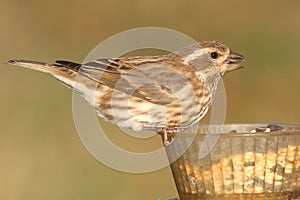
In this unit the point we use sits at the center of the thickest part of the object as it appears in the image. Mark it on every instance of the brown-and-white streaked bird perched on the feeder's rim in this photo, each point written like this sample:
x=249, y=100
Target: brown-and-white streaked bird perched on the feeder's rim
x=164, y=93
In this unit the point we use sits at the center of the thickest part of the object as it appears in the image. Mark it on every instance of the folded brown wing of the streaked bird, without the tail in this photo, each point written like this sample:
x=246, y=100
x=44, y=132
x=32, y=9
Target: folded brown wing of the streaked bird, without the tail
x=148, y=78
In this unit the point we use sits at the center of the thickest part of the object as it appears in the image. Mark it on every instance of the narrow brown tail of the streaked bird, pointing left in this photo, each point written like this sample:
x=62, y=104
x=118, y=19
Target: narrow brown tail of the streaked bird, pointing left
x=64, y=71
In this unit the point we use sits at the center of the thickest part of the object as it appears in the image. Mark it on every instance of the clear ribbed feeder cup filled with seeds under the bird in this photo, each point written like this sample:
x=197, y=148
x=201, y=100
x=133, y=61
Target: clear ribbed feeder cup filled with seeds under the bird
x=238, y=161
